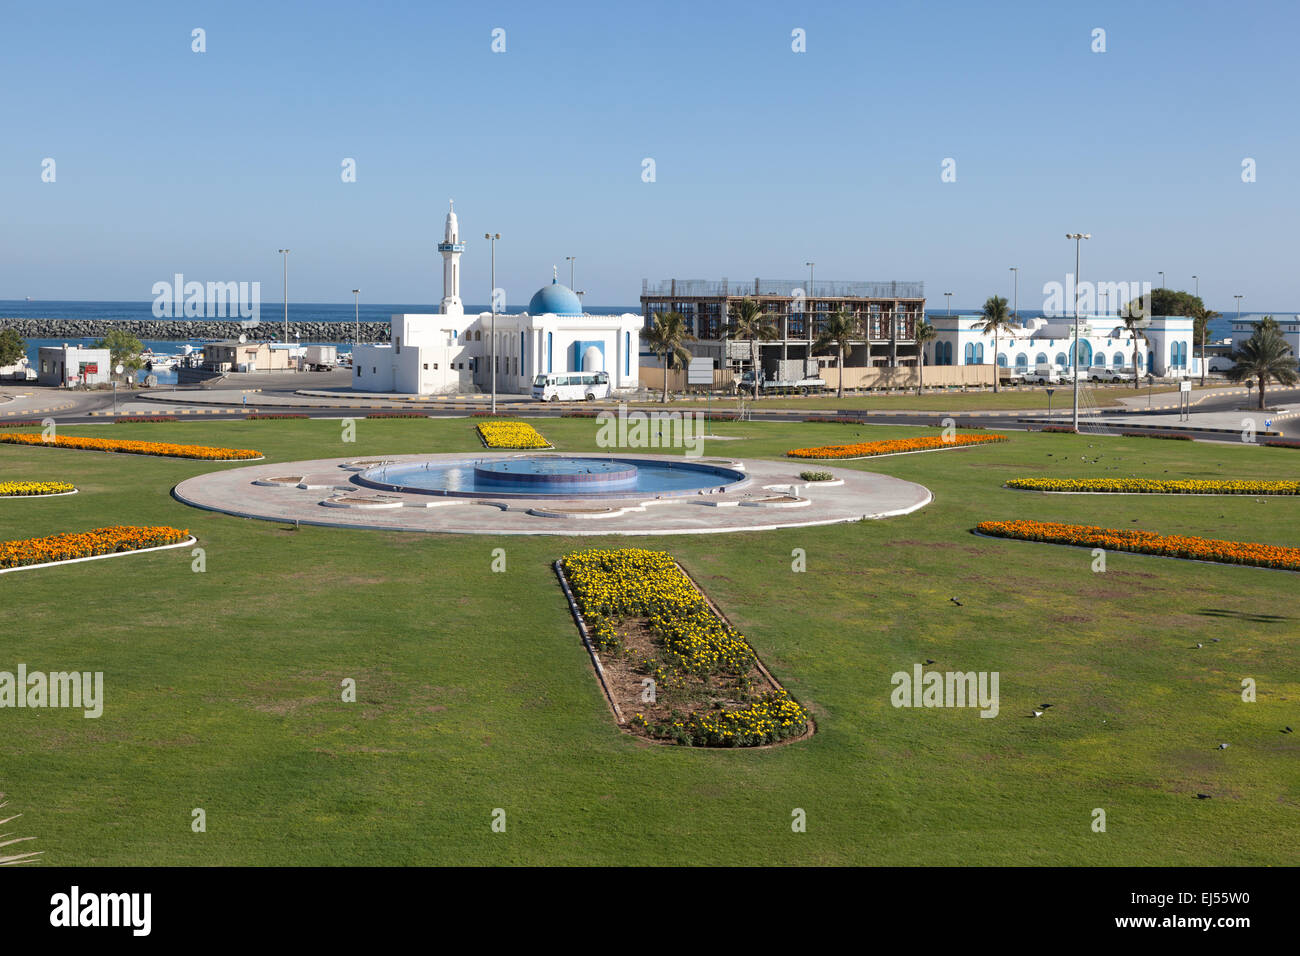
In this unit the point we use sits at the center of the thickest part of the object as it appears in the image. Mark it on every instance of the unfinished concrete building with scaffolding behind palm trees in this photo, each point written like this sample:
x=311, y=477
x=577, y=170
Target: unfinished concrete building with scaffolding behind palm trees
x=889, y=314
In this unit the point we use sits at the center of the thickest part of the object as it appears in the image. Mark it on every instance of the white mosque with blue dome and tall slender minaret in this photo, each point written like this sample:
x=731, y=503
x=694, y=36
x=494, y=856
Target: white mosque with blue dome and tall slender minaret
x=449, y=352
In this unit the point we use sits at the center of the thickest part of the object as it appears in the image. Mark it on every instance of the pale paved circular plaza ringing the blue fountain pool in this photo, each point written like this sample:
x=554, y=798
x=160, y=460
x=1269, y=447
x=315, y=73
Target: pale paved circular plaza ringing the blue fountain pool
x=331, y=492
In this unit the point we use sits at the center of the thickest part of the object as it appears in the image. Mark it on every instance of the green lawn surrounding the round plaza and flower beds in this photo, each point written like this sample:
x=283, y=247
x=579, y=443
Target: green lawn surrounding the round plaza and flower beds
x=474, y=690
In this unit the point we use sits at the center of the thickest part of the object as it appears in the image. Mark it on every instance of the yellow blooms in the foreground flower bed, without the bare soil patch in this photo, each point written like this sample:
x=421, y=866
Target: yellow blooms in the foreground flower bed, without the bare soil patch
x=613, y=587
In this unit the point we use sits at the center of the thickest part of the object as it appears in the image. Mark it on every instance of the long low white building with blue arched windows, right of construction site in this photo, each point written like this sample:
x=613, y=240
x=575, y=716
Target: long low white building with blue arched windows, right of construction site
x=1164, y=345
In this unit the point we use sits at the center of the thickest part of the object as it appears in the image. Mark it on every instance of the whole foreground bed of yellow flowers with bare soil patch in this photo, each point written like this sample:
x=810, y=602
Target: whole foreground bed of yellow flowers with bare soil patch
x=651, y=618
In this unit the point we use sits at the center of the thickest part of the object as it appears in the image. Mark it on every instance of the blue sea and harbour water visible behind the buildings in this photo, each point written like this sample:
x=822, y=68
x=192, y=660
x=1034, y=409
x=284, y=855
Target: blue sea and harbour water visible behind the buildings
x=341, y=313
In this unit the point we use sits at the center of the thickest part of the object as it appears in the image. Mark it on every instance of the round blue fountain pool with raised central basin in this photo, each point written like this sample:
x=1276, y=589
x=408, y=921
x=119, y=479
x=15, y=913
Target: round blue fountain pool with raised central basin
x=553, y=477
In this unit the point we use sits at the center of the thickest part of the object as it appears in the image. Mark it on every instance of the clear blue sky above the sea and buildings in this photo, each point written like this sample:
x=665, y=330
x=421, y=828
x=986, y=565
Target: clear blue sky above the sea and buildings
x=207, y=163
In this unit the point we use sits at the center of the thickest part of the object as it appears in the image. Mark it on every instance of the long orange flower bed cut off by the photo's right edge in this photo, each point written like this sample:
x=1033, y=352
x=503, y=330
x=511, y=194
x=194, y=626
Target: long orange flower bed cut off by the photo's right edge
x=1149, y=543
